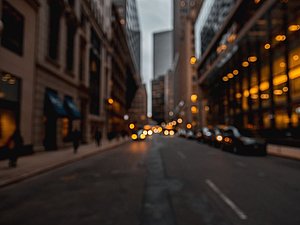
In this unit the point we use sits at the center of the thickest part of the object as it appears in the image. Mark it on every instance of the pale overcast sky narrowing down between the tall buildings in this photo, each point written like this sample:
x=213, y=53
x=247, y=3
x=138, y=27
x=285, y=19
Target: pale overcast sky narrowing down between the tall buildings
x=154, y=15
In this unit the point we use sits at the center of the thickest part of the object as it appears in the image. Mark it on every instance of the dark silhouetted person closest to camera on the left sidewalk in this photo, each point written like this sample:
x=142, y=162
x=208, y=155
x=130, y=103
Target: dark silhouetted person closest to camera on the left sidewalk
x=15, y=145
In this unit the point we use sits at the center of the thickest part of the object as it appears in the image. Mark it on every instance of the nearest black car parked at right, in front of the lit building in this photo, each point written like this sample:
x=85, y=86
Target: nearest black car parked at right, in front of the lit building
x=242, y=141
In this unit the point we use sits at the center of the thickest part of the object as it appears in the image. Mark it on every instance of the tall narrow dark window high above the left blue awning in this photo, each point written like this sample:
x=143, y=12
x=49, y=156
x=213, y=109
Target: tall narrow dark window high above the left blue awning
x=54, y=27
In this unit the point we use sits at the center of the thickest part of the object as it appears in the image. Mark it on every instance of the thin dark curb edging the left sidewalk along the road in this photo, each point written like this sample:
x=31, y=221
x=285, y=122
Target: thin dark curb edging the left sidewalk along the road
x=58, y=165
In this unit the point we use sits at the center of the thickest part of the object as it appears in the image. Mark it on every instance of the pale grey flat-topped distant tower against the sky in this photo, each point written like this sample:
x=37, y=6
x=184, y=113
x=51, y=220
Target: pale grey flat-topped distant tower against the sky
x=162, y=53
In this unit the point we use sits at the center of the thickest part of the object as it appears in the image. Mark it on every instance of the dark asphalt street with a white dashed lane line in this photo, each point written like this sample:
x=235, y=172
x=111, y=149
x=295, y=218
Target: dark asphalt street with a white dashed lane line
x=161, y=181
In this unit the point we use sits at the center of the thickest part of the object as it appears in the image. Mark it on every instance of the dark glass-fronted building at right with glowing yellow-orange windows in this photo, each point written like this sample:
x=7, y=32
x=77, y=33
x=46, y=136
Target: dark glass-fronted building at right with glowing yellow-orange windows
x=249, y=73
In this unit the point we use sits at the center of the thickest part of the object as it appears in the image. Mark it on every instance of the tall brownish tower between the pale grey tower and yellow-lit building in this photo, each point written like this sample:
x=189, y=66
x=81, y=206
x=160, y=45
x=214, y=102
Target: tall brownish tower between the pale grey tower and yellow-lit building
x=185, y=14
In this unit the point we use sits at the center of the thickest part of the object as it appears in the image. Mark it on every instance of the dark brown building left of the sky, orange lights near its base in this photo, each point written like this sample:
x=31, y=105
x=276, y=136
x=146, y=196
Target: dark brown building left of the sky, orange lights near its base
x=123, y=82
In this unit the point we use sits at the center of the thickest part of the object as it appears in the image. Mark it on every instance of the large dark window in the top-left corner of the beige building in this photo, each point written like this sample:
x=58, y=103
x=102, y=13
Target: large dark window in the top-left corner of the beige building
x=13, y=32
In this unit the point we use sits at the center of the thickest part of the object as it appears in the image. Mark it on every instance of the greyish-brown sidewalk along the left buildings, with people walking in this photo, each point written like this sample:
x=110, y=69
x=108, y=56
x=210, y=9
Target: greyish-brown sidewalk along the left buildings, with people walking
x=29, y=166
